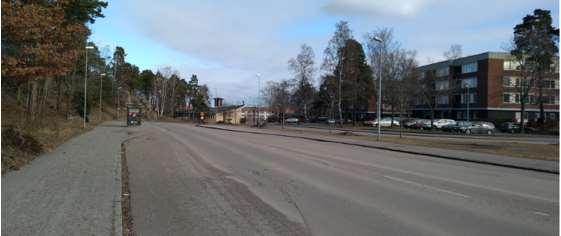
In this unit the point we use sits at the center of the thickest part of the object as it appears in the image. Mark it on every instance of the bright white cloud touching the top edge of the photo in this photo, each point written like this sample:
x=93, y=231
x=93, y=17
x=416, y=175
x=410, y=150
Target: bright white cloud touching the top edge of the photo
x=377, y=7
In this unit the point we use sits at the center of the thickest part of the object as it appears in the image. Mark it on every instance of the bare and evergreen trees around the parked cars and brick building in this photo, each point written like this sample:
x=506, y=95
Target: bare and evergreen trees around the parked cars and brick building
x=348, y=78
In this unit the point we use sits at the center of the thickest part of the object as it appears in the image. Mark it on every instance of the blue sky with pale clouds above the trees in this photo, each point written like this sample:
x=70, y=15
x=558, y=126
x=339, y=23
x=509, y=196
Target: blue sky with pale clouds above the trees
x=232, y=45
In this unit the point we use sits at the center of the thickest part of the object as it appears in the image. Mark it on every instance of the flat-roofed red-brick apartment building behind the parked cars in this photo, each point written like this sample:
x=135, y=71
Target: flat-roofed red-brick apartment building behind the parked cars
x=484, y=87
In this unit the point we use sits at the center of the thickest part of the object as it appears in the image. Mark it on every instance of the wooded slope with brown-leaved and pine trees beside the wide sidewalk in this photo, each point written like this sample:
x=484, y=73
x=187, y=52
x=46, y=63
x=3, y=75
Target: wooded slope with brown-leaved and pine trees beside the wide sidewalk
x=44, y=49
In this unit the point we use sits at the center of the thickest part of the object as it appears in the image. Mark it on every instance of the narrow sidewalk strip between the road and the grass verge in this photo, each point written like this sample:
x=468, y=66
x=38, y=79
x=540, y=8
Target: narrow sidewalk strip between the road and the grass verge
x=506, y=161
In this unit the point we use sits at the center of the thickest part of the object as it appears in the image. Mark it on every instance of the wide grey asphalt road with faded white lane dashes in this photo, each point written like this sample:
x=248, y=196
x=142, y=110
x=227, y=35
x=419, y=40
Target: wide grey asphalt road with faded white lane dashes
x=188, y=180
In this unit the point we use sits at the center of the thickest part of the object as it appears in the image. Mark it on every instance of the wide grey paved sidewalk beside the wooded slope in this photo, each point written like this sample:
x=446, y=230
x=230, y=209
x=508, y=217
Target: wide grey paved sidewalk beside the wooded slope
x=74, y=190
